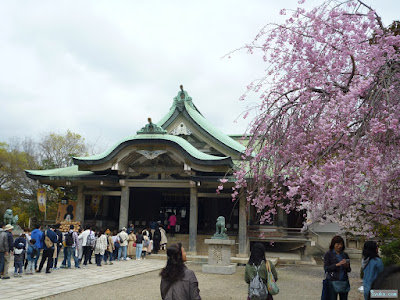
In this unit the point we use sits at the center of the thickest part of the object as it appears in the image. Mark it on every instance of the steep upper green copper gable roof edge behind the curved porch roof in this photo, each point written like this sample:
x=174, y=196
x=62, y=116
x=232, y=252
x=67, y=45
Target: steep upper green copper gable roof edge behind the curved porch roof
x=183, y=100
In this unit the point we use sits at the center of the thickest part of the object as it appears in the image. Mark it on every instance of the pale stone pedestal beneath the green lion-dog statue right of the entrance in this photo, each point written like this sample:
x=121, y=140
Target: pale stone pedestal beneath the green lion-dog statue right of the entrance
x=219, y=257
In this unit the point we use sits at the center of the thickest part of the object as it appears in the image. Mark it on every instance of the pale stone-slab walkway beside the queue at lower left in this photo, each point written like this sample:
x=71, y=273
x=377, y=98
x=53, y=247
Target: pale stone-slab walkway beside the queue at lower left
x=64, y=280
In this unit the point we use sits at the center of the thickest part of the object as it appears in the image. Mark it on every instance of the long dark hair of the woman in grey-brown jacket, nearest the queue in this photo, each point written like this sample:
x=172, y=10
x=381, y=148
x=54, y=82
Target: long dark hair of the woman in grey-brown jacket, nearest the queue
x=175, y=268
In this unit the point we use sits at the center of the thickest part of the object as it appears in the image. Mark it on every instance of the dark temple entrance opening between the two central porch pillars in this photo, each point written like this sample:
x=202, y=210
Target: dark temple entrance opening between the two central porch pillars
x=157, y=204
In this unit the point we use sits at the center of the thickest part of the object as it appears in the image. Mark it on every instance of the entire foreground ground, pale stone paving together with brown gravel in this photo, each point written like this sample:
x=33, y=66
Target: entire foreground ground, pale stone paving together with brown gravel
x=140, y=280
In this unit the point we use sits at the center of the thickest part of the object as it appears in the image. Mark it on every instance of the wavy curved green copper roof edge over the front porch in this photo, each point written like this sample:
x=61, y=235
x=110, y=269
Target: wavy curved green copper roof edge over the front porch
x=154, y=138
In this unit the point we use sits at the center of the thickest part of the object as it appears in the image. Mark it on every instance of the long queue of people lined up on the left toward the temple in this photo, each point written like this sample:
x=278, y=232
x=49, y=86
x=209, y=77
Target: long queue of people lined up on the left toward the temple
x=31, y=250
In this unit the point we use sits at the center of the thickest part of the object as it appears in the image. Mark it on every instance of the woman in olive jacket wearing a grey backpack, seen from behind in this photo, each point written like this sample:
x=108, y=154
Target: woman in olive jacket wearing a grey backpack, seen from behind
x=257, y=265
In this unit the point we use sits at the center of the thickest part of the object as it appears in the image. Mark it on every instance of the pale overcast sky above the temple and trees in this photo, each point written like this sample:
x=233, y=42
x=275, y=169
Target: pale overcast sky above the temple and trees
x=100, y=68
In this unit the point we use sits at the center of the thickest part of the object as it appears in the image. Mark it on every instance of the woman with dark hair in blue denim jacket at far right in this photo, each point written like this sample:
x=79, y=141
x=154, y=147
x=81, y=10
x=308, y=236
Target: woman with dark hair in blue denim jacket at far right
x=372, y=266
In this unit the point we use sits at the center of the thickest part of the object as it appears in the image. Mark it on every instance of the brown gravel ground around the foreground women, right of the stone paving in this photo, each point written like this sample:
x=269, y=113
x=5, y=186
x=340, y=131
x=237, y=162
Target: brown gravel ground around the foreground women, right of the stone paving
x=295, y=282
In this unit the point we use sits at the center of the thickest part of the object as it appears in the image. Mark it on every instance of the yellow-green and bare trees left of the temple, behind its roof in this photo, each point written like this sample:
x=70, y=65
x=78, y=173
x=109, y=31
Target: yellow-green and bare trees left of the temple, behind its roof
x=19, y=192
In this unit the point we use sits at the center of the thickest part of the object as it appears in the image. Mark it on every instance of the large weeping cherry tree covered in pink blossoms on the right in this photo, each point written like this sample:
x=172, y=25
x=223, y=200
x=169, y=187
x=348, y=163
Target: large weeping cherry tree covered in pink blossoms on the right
x=327, y=135
